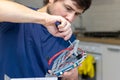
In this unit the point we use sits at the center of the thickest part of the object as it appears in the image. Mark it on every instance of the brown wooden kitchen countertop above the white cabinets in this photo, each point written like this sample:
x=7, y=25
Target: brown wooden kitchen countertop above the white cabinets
x=100, y=40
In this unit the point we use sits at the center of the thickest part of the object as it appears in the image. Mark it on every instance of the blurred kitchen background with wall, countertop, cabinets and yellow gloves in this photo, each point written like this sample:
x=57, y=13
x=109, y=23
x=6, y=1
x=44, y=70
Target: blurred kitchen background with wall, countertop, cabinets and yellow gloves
x=98, y=30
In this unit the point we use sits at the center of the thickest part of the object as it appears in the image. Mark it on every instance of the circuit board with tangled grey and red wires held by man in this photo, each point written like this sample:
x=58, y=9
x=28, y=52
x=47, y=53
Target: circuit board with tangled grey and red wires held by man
x=69, y=58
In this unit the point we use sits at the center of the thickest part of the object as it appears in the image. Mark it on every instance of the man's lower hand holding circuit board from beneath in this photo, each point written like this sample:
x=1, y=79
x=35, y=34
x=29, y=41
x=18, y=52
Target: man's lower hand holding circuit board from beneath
x=71, y=75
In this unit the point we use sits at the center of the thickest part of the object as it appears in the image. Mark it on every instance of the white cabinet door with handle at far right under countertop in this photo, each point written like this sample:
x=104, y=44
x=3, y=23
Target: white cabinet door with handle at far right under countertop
x=111, y=64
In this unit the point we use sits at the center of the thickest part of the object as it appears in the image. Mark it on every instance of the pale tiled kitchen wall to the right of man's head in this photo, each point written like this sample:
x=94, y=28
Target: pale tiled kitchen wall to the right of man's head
x=104, y=15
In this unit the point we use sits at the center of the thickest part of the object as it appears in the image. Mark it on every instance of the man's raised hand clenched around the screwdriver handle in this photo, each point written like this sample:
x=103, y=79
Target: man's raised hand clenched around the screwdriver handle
x=63, y=30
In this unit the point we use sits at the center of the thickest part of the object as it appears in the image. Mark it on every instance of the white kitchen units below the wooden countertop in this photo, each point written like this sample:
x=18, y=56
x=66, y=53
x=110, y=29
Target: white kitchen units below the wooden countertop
x=108, y=65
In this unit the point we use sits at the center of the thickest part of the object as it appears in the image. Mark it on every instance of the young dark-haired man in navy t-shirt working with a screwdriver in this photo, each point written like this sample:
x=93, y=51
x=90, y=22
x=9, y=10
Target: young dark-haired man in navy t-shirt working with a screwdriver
x=29, y=37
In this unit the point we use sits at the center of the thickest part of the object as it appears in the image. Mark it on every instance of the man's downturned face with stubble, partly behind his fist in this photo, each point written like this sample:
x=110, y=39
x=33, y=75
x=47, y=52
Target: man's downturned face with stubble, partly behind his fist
x=64, y=8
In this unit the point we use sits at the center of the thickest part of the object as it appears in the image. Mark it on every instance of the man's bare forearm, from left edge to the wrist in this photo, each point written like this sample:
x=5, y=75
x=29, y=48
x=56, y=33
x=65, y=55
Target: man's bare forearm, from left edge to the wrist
x=14, y=12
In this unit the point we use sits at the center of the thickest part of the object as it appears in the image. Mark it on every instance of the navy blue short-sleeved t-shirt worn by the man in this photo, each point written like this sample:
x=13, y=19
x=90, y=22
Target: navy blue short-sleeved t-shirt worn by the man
x=25, y=49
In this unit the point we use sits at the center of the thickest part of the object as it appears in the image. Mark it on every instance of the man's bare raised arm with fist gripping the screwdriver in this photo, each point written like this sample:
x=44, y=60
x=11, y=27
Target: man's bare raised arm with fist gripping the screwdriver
x=14, y=12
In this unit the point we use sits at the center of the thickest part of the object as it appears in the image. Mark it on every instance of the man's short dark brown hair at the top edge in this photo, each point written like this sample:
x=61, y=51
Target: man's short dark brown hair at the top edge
x=83, y=4
